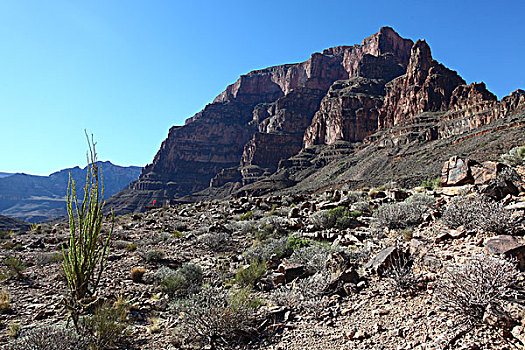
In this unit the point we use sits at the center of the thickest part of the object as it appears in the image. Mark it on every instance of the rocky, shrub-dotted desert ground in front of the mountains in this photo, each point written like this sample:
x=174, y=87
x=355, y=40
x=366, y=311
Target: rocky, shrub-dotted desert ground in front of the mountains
x=380, y=268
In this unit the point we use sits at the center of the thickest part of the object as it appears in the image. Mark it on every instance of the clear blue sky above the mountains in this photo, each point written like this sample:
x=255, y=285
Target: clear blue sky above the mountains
x=129, y=70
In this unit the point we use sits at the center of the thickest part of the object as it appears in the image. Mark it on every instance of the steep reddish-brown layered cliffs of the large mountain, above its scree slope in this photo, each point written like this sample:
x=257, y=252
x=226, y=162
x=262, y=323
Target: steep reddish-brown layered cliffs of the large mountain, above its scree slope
x=386, y=90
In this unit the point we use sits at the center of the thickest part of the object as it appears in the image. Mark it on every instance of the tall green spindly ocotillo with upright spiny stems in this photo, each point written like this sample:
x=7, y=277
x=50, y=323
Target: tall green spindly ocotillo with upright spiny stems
x=86, y=258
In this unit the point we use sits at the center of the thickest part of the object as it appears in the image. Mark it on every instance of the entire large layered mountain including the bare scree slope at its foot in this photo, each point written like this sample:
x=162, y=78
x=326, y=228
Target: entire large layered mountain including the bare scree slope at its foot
x=348, y=114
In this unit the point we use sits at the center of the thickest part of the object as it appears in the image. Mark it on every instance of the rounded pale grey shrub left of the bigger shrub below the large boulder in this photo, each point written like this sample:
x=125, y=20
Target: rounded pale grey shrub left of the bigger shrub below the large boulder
x=399, y=215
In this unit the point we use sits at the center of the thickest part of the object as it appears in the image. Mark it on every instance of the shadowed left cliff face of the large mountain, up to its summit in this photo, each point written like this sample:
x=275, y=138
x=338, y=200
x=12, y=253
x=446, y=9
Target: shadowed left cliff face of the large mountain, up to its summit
x=260, y=119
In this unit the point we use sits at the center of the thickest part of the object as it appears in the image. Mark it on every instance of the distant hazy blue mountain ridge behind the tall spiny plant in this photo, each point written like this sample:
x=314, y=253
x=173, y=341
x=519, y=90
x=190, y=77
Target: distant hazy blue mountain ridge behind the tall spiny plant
x=36, y=198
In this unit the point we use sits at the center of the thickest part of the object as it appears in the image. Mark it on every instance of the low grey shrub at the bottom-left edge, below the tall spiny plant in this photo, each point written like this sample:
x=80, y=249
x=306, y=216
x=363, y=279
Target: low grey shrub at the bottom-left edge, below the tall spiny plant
x=49, y=338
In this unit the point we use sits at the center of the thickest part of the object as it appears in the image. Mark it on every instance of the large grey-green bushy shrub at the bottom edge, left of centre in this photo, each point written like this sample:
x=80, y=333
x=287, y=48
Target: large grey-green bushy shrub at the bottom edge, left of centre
x=214, y=317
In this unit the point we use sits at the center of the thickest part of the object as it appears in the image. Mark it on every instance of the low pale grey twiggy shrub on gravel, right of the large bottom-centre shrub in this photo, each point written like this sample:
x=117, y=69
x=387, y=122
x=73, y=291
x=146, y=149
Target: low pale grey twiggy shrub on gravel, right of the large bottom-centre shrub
x=306, y=296
